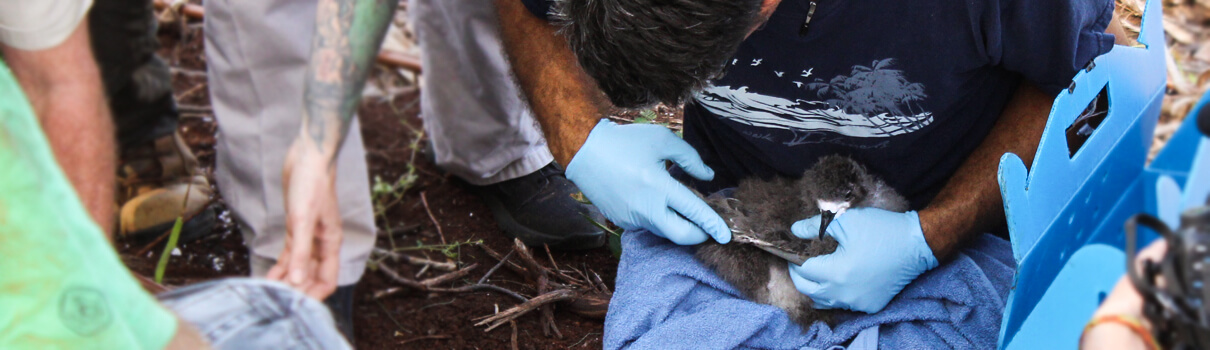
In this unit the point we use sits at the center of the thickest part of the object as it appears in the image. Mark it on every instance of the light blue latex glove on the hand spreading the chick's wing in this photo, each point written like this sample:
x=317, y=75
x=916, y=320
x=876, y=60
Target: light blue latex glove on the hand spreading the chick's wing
x=621, y=169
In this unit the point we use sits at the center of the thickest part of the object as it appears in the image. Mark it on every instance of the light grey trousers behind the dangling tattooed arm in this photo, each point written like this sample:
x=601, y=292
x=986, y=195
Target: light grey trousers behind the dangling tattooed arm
x=258, y=53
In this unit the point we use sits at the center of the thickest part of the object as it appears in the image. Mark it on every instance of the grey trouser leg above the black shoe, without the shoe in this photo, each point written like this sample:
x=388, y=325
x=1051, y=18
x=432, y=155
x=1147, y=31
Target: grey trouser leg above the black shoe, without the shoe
x=481, y=129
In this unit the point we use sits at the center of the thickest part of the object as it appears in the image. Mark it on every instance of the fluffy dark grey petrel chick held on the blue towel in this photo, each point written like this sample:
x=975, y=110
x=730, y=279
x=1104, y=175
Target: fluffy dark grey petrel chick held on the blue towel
x=765, y=211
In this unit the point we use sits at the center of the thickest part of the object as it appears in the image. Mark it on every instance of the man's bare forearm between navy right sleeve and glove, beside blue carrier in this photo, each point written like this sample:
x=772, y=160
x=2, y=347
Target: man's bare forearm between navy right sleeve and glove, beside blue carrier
x=971, y=203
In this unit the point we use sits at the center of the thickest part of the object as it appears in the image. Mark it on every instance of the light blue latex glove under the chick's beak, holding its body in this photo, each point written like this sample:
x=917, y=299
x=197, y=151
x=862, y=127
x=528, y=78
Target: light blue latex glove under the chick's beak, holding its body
x=880, y=253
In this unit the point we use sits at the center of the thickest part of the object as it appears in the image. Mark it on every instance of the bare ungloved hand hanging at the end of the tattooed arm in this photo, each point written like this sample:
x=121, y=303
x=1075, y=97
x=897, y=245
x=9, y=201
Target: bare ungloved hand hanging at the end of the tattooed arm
x=310, y=261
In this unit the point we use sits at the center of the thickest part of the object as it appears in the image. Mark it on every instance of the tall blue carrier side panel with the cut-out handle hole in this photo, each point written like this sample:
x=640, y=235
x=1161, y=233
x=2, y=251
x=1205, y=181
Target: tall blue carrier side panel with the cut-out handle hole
x=1059, y=205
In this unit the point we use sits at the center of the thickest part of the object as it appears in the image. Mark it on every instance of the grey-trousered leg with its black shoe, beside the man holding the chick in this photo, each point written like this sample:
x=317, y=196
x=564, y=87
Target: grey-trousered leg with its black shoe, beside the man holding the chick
x=483, y=133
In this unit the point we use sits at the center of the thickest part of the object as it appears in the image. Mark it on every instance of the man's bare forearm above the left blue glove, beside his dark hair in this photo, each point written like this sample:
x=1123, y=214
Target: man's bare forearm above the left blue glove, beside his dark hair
x=564, y=100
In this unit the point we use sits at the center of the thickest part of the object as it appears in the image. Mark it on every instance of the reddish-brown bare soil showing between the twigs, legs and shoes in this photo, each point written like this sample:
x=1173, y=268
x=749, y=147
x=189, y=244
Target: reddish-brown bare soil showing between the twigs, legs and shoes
x=406, y=320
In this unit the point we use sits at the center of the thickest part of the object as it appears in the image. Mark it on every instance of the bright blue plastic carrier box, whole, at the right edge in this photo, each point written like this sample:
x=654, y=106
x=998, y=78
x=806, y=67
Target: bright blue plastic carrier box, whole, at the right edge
x=1067, y=213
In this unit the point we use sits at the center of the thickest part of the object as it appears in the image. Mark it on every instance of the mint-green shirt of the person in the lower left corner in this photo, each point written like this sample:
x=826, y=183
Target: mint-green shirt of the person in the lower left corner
x=62, y=286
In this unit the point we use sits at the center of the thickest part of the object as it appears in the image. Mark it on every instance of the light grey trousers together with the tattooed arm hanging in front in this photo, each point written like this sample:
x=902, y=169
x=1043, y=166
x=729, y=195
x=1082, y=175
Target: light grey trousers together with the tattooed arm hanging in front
x=258, y=56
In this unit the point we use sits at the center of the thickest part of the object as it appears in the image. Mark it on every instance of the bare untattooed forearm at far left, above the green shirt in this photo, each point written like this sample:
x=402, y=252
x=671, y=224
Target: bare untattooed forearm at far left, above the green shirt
x=64, y=85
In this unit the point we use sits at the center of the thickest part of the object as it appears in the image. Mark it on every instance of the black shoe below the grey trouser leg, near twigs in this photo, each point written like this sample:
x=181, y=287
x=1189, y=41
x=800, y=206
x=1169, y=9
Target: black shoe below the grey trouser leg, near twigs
x=539, y=209
